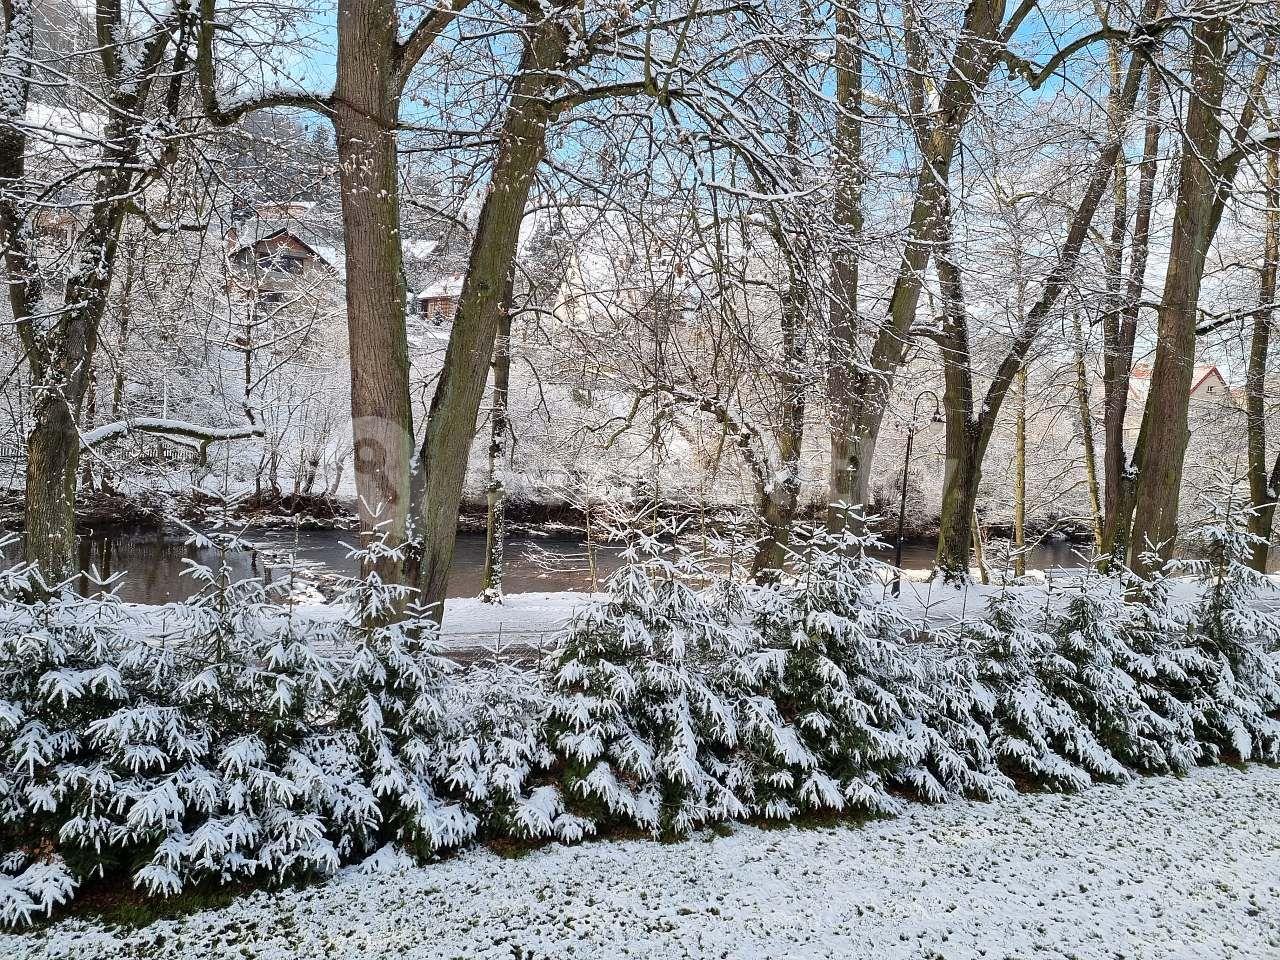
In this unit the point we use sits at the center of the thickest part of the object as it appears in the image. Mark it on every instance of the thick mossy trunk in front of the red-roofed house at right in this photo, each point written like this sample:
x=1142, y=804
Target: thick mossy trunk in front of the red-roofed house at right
x=1164, y=436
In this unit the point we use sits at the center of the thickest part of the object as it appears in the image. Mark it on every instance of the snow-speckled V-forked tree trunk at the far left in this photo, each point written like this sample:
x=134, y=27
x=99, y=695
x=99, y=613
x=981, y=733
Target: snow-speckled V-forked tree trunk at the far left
x=61, y=341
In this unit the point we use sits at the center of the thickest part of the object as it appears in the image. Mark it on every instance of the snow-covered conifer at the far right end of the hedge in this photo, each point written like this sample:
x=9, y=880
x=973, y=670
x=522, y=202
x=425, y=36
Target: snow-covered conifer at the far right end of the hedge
x=1235, y=693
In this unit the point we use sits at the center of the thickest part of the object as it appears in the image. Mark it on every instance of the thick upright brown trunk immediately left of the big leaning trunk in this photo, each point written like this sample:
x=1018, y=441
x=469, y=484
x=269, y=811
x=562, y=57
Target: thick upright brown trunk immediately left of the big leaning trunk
x=365, y=108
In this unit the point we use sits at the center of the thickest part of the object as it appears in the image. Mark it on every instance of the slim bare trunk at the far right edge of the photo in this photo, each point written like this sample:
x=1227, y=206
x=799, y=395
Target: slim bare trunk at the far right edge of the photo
x=1264, y=483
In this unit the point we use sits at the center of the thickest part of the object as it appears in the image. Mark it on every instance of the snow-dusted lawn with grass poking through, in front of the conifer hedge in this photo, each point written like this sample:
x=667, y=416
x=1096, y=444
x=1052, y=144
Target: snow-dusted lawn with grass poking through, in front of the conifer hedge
x=1160, y=868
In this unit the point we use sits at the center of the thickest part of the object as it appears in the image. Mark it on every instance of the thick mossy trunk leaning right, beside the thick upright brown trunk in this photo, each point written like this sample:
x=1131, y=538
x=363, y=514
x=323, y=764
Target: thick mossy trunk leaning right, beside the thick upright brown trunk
x=452, y=419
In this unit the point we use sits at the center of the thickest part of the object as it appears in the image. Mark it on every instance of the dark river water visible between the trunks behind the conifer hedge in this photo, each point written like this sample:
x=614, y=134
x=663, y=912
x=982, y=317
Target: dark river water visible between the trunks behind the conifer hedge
x=152, y=563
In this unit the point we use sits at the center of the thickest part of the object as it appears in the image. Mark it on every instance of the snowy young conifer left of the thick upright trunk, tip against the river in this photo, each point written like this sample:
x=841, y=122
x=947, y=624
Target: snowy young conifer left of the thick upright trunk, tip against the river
x=252, y=803
